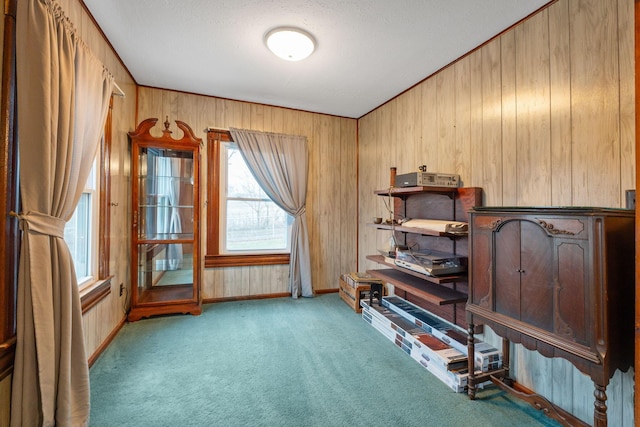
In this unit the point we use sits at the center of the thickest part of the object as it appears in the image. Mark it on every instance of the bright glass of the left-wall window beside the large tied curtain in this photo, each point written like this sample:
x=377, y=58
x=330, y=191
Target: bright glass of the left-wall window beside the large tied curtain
x=77, y=234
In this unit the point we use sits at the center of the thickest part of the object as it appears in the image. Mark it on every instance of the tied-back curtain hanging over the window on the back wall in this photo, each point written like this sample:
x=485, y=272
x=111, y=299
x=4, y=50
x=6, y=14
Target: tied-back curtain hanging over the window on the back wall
x=280, y=165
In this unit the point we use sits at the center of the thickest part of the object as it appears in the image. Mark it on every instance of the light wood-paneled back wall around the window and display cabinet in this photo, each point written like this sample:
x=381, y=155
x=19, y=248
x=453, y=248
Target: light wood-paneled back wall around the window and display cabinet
x=331, y=198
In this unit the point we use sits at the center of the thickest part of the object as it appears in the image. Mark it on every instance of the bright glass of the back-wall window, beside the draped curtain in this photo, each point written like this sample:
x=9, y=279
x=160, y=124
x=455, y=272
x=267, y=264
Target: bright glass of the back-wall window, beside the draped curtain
x=249, y=221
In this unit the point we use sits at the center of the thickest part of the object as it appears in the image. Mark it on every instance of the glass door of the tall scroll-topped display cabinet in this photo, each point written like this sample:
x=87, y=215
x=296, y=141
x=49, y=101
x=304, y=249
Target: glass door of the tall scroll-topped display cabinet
x=165, y=224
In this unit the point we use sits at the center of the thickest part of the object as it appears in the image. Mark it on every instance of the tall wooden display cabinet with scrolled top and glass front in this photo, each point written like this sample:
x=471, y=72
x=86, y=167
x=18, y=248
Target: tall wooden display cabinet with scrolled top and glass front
x=165, y=247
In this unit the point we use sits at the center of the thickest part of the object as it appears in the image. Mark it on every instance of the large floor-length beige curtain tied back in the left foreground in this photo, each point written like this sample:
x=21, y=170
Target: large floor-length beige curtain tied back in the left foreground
x=63, y=93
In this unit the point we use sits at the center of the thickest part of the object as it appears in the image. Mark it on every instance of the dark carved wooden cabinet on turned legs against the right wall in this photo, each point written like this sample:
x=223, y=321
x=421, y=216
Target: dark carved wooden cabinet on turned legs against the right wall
x=559, y=281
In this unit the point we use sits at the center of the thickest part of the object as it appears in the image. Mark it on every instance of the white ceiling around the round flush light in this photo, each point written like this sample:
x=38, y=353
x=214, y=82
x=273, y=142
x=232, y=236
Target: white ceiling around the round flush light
x=368, y=51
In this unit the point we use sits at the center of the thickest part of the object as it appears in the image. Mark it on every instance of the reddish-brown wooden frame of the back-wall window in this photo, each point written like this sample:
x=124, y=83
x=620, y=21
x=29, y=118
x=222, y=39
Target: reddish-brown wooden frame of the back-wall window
x=214, y=257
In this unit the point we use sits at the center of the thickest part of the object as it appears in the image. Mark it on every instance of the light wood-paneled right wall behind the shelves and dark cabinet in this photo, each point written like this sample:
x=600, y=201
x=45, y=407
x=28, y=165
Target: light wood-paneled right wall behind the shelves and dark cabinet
x=542, y=115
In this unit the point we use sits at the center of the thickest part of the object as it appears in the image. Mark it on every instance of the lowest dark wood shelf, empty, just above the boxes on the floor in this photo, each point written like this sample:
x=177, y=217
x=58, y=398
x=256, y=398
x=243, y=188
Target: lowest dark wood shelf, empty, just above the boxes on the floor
x=433, y=293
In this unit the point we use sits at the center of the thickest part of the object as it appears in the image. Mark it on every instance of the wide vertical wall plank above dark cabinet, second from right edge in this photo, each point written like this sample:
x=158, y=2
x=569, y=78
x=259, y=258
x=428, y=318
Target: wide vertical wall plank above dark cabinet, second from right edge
x=595, y=102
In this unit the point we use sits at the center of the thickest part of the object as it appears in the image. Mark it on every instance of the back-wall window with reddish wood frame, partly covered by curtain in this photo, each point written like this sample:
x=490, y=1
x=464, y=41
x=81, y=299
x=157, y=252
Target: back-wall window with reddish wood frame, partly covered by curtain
x=244, y=226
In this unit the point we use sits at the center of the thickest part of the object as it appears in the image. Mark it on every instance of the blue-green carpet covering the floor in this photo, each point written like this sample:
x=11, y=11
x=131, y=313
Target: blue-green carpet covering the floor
x=279, y=362
